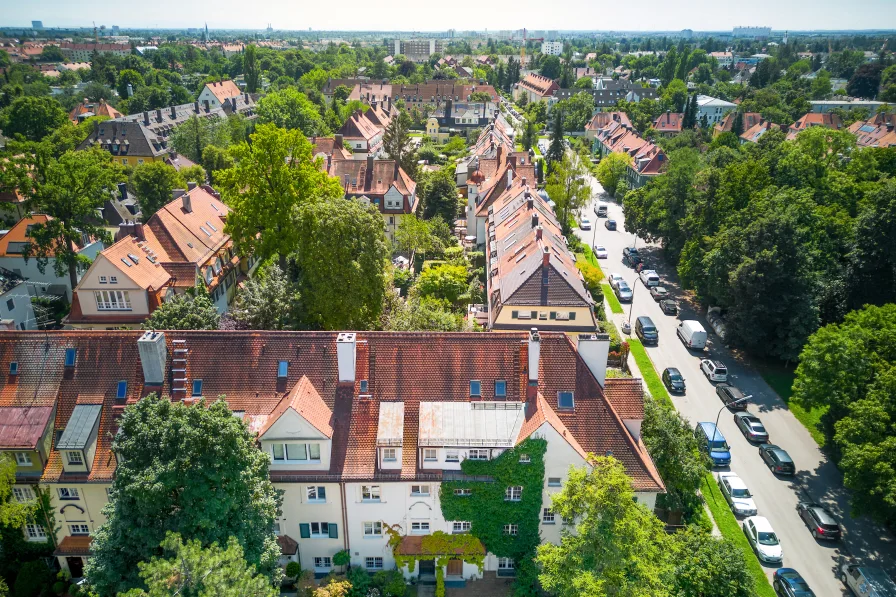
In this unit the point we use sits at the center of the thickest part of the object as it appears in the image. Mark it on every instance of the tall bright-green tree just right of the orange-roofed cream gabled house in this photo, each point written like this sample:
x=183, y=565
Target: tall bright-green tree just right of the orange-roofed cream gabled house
x=273, y=176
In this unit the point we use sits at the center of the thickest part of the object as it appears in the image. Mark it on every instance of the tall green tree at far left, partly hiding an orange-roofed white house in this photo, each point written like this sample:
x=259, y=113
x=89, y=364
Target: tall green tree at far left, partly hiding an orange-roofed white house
x=70, y=190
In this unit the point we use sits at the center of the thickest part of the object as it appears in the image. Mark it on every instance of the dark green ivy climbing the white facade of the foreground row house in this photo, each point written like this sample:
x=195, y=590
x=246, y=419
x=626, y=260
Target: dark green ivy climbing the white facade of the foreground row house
x=488, y=511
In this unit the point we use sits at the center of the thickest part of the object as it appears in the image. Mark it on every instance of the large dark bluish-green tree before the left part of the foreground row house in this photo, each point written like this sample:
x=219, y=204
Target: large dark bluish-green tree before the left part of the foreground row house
x=190, y=469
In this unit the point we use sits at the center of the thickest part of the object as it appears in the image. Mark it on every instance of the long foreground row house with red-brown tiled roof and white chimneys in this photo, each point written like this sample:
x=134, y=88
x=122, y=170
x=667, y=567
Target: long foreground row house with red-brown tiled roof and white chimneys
x=355, y=443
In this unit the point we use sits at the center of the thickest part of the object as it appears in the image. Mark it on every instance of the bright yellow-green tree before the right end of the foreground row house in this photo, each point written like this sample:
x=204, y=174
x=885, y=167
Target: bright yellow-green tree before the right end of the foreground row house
x=618, y=547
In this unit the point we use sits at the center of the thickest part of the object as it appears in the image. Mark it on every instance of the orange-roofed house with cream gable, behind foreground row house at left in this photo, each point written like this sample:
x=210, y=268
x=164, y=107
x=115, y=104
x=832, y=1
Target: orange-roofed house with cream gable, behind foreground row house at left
x=181, y=245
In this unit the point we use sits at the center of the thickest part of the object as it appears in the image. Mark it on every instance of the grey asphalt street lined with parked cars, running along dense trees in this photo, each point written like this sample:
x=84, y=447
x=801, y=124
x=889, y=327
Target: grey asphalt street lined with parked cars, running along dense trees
x=817, y=478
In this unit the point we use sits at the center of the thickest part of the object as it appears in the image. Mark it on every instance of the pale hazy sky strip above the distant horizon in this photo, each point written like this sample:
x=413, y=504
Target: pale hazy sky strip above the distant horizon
x=440, y=15
